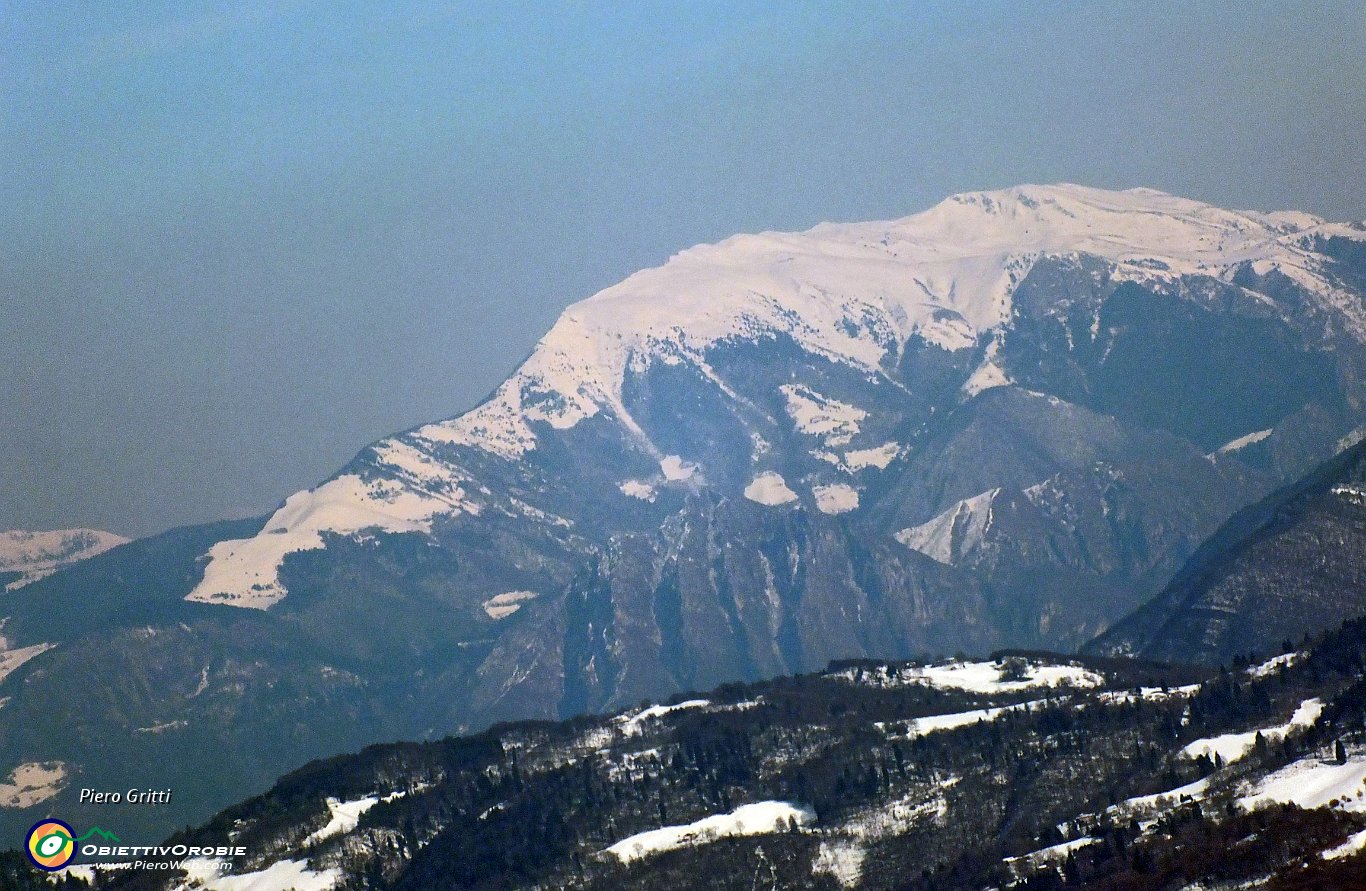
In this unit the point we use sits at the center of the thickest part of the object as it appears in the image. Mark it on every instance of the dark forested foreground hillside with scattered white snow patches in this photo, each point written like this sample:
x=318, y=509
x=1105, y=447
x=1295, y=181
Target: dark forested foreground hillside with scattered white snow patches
x=1028, y=771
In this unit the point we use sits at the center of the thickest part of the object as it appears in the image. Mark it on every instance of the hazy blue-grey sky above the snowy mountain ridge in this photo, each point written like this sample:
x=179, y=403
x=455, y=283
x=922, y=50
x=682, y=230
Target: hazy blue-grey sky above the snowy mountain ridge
x=240, y=241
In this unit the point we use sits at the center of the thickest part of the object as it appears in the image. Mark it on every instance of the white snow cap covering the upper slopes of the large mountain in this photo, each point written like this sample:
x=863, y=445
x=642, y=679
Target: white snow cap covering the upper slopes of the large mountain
x=859, y=297
